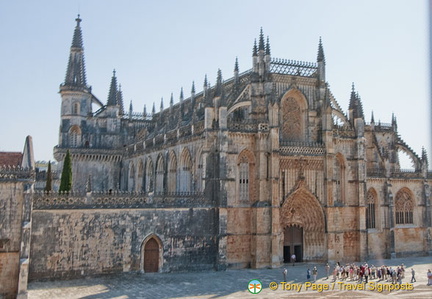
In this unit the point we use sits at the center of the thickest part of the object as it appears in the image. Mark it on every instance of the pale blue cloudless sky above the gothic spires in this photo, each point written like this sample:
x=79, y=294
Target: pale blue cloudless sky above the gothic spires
x=157, y=47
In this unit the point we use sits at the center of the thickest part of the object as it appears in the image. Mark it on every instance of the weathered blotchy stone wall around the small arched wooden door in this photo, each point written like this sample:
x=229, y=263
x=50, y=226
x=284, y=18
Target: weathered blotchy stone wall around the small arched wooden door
x=76, y=242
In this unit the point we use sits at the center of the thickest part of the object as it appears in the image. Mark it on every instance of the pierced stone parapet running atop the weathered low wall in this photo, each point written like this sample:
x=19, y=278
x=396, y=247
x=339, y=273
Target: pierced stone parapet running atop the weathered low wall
x=118, y=200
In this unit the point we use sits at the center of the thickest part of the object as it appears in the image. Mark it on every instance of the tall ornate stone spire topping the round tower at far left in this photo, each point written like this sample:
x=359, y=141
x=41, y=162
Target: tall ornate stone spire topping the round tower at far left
x=75, y=73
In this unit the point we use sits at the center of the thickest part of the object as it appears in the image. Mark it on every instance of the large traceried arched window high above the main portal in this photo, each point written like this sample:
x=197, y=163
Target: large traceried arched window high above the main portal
x=292, y=117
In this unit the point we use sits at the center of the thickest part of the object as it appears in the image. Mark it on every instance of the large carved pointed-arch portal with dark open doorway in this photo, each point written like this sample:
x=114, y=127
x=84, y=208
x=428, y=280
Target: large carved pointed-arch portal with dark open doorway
x=302, y=219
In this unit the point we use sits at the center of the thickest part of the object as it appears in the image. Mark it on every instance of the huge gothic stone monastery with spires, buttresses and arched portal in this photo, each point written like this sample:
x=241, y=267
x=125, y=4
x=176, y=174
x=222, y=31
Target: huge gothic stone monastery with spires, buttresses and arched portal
x=244, y=173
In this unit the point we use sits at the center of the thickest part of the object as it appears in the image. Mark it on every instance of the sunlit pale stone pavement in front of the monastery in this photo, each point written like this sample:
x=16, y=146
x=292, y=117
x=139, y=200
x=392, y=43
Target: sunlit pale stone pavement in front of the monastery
x=229, y=284
